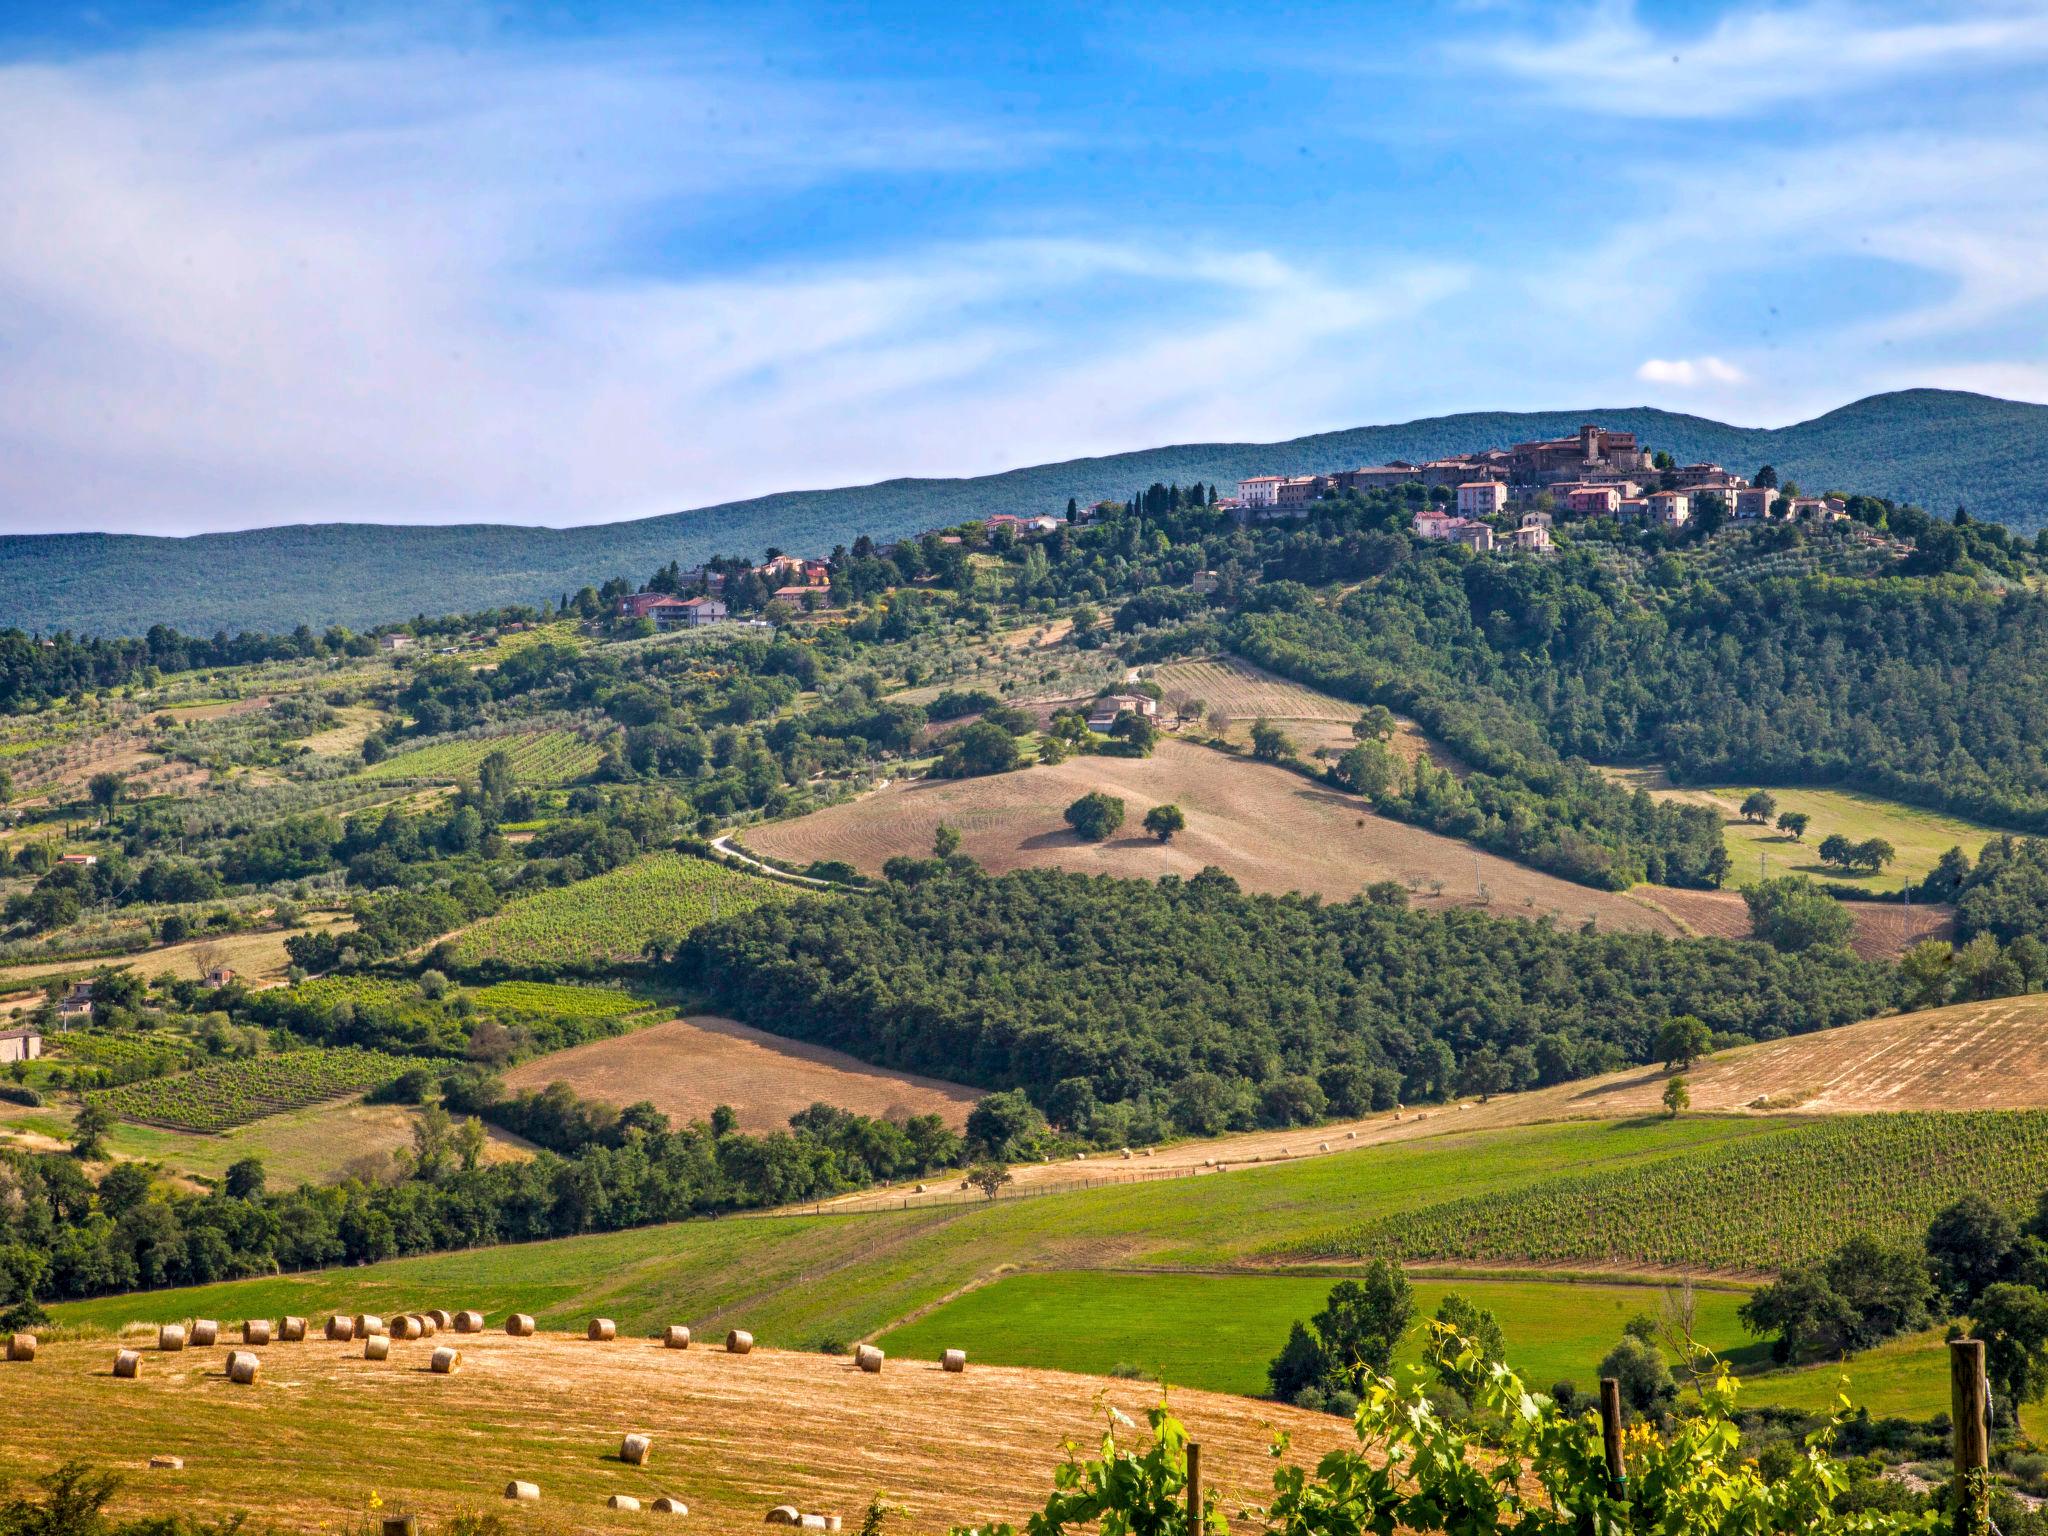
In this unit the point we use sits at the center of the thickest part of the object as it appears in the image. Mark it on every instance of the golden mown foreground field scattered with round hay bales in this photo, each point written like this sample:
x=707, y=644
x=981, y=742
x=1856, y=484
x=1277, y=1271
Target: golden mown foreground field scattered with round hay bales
x=327, y=1439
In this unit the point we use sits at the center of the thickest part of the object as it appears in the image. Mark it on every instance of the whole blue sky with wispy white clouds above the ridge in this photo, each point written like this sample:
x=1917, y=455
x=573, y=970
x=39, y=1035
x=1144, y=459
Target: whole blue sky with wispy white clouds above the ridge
x=574, y=263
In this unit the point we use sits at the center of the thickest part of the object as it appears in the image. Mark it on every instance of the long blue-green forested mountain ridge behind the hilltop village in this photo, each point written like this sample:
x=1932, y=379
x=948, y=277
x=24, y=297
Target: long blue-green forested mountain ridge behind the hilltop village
x=1932, y=447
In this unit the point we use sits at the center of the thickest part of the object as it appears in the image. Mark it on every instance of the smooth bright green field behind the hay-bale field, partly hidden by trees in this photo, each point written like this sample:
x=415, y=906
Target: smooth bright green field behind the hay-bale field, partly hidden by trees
x=1220, y=1330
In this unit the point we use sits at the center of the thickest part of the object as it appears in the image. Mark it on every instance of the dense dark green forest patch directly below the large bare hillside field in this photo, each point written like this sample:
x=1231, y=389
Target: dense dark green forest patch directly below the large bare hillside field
x=1201, y=1009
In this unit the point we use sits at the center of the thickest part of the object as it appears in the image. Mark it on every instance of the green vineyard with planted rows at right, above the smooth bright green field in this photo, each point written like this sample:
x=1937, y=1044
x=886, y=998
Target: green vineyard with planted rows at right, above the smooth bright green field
x=1760, y=1205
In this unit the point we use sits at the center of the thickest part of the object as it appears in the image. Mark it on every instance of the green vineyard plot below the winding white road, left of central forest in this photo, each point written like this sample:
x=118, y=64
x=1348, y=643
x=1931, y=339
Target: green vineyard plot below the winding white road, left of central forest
x=593, y=925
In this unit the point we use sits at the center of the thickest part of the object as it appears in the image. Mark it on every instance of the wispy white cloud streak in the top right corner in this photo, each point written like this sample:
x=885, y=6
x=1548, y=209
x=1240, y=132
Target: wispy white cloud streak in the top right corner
x=1607, y=60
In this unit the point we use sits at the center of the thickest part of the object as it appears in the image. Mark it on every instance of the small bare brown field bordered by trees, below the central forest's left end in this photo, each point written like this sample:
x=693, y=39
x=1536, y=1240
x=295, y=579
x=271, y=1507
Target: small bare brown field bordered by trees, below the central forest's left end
x=691, y=1066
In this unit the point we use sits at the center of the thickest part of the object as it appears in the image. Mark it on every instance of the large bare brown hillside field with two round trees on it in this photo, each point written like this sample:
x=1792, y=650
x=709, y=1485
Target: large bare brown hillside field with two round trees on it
x=1273, y=830
